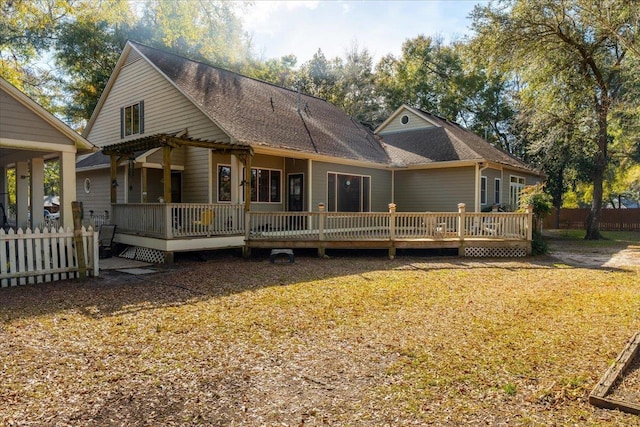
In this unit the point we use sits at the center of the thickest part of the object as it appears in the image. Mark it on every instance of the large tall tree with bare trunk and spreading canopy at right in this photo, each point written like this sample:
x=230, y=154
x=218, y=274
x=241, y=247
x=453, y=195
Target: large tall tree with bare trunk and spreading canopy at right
x=549, y=43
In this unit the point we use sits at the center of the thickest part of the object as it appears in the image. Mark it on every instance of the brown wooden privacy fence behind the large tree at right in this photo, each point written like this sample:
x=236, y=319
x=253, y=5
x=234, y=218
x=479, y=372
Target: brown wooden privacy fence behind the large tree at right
x=610, y=219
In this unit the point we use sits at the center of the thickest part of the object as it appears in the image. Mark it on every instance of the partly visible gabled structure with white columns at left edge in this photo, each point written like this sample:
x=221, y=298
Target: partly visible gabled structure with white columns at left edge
x=29, y=136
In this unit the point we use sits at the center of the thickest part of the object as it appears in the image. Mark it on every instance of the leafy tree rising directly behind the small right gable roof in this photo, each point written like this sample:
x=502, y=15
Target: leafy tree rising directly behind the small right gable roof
x=450, y=82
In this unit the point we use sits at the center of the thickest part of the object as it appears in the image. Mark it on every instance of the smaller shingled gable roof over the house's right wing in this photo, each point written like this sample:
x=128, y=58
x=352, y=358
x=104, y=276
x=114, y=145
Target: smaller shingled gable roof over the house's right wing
x=443, y=142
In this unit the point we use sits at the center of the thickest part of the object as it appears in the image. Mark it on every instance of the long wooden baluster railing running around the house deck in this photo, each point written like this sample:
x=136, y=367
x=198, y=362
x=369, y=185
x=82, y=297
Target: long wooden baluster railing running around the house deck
x=179, y=220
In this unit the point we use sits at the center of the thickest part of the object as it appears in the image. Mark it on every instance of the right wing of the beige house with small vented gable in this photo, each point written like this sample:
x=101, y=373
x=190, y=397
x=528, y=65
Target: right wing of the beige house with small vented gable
x=439, y=164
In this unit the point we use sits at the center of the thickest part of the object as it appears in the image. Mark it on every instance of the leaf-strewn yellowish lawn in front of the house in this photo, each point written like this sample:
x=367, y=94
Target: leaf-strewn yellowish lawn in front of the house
x=354, y=340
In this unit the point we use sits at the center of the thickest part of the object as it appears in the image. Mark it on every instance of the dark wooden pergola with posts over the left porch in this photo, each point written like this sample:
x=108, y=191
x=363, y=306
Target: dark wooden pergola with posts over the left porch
x=168, y=141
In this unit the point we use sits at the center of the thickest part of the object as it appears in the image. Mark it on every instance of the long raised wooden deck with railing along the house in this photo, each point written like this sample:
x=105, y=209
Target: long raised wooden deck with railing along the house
x=177, y=227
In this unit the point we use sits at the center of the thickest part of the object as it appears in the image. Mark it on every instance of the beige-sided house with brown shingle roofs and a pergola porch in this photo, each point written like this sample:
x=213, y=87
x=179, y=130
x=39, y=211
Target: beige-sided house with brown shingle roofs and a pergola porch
x=188, y=150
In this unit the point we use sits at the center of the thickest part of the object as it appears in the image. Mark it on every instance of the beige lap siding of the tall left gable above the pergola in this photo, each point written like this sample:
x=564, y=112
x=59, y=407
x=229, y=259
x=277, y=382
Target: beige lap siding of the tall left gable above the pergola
x=165, y=108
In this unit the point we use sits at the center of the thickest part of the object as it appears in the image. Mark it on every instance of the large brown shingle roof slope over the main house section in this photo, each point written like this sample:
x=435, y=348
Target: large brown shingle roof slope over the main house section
x=262, y=114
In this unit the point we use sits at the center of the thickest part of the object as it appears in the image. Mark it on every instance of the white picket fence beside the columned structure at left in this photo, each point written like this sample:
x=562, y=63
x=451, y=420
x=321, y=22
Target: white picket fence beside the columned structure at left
x=45, y=255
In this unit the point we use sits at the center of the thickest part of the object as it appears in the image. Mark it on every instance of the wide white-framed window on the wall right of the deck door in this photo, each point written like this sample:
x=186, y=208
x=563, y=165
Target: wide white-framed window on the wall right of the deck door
x=348, y=193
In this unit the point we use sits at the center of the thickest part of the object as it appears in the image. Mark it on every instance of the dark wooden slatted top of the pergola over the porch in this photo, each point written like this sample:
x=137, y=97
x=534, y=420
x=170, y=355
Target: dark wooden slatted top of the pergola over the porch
x=173, y=141
